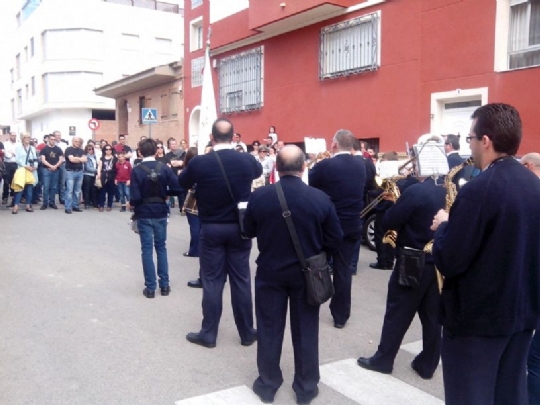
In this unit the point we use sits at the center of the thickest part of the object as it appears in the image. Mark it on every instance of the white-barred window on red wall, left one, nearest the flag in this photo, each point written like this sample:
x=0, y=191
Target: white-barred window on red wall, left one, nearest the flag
x=241, y=82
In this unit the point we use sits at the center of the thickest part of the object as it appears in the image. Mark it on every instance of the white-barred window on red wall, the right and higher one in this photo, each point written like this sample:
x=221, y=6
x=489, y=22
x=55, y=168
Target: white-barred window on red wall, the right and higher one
x=349, y=47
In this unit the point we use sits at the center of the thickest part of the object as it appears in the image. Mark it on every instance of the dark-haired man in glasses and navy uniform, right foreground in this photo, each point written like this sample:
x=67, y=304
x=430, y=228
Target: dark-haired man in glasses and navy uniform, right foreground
x=488, y=249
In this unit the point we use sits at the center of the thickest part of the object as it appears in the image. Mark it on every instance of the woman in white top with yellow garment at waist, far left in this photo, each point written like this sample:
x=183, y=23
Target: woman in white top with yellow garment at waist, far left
x=26, y=175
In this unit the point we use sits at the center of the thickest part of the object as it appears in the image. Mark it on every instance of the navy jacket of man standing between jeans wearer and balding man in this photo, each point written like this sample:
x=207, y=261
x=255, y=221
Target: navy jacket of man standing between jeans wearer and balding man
x=213, y=198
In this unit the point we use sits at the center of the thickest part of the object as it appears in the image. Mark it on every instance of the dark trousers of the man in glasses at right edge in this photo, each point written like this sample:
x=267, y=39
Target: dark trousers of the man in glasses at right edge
x=482, y=370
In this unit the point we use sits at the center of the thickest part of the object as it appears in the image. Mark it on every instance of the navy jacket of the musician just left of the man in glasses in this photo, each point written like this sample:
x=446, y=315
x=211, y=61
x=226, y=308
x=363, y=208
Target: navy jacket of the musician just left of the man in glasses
x=413, y=213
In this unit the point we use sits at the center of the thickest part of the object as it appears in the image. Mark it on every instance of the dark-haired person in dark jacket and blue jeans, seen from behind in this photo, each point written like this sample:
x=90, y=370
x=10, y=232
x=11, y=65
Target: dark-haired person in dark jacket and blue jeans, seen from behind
x=151, y=182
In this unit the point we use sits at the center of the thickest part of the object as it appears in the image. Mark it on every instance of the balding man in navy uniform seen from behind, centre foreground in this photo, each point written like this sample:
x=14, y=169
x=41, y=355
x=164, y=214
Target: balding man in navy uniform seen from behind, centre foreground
x=279, y=278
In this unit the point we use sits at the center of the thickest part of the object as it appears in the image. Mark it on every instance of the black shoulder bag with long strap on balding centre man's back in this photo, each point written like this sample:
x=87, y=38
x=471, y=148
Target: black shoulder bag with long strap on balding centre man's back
x=319, y=286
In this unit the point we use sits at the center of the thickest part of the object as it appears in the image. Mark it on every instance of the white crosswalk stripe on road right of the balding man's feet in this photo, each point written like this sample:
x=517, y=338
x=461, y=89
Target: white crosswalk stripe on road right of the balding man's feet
x=370, y=388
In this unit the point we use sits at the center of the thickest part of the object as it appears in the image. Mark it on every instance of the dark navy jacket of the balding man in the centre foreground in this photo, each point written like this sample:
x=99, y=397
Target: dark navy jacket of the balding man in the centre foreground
x=314, y=218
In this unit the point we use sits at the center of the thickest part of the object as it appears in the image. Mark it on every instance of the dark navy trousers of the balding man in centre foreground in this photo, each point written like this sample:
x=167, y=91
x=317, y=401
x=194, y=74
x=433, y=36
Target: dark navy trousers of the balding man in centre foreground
x=273, y=293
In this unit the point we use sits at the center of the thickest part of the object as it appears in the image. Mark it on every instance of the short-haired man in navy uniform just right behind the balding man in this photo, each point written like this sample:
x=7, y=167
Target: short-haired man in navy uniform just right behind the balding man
x=343, y=178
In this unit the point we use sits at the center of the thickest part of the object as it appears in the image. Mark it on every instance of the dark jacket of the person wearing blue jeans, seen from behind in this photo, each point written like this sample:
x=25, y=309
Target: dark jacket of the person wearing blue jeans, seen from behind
x=142, y=188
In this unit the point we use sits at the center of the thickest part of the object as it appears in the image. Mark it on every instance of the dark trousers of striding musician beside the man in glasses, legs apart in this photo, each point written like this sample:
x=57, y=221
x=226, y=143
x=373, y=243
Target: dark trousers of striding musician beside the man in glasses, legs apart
x=402, y=304
